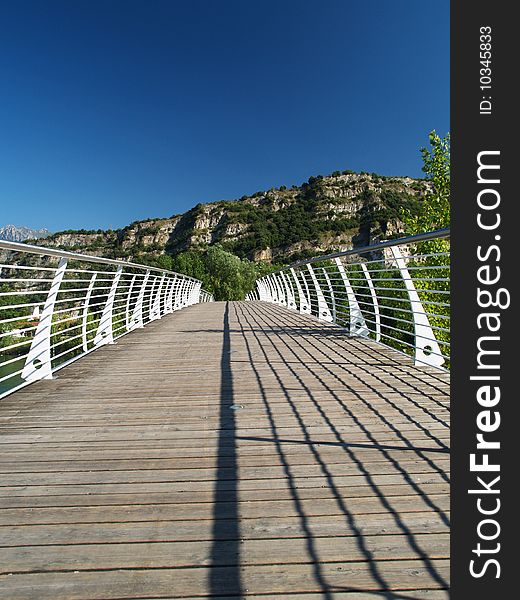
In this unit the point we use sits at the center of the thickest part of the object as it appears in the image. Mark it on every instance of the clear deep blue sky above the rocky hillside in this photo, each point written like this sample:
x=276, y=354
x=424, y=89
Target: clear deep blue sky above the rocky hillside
x=118, y=110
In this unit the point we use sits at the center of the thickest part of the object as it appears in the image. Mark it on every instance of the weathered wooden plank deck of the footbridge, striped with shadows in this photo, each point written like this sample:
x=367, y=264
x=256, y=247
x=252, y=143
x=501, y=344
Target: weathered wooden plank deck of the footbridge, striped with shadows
x=228, y=450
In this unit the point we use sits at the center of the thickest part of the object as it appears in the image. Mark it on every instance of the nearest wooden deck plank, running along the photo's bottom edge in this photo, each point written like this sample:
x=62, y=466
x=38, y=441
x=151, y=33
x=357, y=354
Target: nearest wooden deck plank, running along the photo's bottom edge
x=353, y=576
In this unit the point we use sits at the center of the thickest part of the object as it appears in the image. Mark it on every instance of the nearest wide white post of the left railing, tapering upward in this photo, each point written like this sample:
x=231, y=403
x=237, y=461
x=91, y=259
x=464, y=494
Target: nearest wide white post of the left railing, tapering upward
x=38, y=363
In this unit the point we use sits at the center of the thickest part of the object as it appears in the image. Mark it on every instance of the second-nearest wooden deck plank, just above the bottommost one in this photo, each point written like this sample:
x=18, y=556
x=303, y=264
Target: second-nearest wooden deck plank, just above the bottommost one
x=162, y=555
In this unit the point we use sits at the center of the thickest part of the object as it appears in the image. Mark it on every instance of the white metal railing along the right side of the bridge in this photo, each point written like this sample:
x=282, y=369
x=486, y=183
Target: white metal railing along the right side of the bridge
x=396, y=292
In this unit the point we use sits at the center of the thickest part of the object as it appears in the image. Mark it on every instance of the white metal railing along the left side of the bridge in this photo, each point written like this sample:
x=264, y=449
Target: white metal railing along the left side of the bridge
x=57, y=306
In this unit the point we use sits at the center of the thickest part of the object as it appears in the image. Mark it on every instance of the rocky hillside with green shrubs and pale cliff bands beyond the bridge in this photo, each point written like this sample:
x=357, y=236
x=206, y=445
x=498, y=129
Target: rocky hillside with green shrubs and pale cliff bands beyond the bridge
x=335, y=212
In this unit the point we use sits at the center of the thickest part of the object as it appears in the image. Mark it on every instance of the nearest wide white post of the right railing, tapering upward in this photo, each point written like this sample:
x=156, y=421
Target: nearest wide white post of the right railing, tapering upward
x=427, y=349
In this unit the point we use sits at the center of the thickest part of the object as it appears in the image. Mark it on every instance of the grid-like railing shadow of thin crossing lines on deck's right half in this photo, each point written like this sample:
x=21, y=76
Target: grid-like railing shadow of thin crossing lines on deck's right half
x=282, y=353
